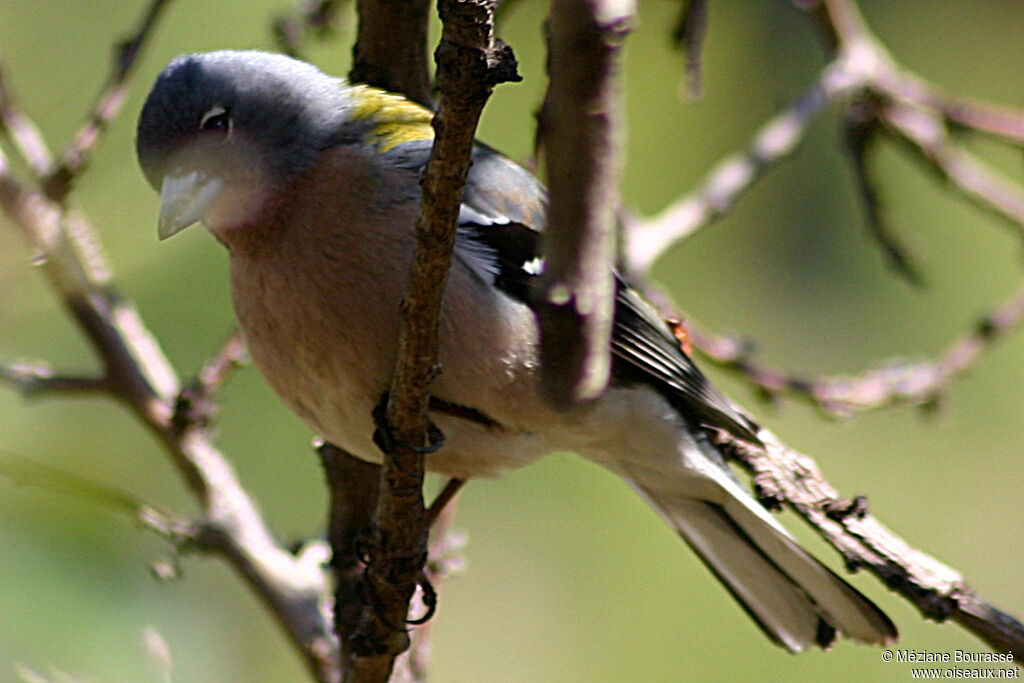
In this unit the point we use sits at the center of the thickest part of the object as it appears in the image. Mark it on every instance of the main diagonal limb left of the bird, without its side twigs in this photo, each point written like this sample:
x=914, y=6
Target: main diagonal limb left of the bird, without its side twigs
x=140, y=374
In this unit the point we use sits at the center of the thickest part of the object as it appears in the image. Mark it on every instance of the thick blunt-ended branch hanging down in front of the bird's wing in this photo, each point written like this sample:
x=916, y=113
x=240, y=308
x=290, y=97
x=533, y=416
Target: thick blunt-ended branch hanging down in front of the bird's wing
x=582, y=120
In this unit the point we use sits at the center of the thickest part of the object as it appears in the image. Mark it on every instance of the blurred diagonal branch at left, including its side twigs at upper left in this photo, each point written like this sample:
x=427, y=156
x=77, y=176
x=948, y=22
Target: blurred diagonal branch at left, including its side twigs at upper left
x=138, y=373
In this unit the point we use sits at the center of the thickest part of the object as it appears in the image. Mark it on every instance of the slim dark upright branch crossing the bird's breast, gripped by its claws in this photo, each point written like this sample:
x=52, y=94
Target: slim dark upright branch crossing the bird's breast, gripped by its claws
x=471, y=63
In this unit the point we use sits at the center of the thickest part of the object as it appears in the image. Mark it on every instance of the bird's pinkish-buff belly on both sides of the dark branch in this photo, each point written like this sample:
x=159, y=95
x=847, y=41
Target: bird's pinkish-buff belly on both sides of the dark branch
x=330, y=359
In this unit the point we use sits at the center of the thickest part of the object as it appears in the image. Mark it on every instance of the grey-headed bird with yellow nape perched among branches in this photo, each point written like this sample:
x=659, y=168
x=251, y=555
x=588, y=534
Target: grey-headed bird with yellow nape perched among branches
x=314, y=186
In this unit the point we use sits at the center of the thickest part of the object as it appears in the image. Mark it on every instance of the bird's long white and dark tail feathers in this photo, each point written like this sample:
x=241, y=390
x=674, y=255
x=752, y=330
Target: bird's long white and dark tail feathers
x=797, y=601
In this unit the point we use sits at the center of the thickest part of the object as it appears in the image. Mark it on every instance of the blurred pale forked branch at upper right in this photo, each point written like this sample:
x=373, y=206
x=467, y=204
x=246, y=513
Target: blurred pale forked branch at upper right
x=913, y=110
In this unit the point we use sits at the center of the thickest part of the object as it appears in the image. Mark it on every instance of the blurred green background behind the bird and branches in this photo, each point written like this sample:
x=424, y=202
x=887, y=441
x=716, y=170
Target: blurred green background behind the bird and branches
x=571, y=578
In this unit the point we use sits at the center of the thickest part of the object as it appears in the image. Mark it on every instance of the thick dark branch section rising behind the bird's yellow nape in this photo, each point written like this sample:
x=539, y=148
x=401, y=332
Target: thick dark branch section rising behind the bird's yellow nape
x=391, y=52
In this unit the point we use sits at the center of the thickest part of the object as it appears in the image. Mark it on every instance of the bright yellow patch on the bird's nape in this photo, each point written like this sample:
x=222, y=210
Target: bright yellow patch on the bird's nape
x=397, y=120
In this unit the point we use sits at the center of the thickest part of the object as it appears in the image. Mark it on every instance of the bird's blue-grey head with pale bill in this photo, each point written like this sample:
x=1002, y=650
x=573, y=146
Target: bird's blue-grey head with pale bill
x=222, y=133
